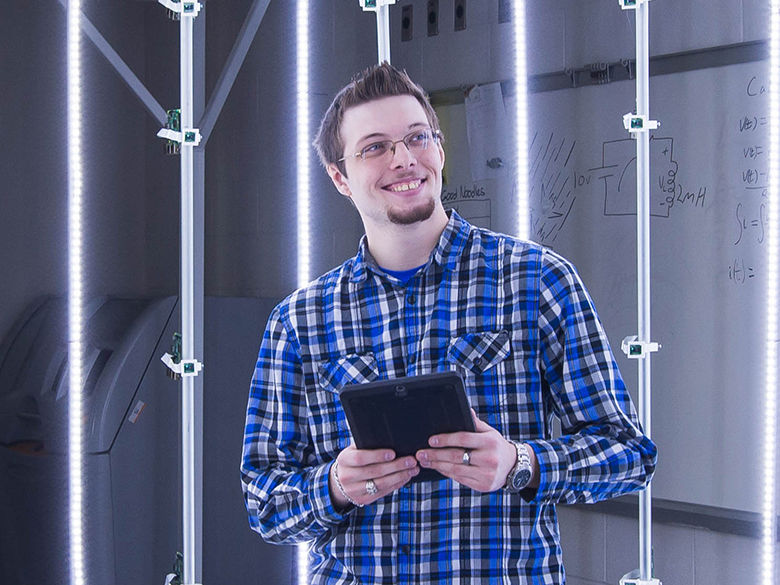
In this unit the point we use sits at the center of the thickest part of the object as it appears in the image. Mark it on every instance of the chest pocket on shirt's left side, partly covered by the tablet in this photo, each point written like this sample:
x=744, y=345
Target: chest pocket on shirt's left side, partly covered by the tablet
x=328, y=422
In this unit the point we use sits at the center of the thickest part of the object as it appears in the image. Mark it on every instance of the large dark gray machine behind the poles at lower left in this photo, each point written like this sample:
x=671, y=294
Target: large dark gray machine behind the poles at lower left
x=132, y=459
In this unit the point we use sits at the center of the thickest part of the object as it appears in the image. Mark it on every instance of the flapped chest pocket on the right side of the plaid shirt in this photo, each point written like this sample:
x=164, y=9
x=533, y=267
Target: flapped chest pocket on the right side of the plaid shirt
x=482, y=358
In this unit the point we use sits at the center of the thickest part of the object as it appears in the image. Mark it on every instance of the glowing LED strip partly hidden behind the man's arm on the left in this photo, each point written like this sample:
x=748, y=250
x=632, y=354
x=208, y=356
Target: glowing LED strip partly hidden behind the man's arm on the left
x=302, y=187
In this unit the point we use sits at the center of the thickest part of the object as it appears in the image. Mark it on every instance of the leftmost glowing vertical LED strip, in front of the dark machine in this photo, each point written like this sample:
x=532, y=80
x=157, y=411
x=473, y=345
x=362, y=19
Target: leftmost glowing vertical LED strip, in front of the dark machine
x=75, y=301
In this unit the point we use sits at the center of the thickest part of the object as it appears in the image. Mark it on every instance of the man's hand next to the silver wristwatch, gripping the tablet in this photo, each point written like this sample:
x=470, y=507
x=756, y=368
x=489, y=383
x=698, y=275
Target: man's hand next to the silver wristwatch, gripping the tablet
x=490, y=456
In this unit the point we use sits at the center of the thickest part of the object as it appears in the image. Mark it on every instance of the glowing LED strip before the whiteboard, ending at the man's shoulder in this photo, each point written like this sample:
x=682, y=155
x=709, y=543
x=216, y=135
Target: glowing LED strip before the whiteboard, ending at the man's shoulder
x=521, y=118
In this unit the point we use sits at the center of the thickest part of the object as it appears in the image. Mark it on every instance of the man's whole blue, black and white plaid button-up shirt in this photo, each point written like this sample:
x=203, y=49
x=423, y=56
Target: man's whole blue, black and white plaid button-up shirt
x=516, y=321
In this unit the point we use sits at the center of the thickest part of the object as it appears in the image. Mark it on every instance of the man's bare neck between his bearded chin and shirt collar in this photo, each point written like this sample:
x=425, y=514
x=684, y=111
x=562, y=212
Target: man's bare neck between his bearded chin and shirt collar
x=403, y=247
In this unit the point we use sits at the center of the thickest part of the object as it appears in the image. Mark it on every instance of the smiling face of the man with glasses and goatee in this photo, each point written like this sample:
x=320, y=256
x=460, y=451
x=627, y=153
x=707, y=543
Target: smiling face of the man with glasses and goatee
x=397, y=188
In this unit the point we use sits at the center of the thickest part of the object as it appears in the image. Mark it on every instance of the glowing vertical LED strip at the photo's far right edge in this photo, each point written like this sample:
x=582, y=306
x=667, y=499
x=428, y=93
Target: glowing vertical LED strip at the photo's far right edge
x=769, y=504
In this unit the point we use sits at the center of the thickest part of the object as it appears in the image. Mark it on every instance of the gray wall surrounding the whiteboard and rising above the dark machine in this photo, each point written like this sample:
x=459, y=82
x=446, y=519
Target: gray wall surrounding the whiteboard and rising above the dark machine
x=132, y=188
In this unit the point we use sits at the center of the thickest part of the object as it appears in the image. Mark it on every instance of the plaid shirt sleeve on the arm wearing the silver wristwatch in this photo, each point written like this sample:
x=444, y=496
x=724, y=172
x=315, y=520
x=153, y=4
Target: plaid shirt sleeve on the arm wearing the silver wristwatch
x=602, y=451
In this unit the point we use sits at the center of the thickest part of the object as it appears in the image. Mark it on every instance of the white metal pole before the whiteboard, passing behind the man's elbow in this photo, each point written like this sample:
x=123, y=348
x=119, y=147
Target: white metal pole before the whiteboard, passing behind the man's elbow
x=643, y=272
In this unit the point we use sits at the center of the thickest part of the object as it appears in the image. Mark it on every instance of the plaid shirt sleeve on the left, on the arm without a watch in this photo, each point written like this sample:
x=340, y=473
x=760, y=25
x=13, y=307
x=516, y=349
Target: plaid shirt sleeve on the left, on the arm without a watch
x=287, y=500
